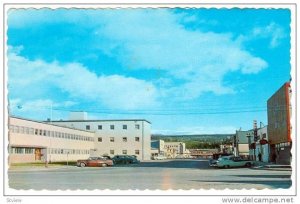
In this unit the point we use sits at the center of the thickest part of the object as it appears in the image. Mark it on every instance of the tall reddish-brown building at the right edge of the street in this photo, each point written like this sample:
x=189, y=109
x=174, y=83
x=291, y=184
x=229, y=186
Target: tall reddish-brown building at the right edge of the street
x=279, y=125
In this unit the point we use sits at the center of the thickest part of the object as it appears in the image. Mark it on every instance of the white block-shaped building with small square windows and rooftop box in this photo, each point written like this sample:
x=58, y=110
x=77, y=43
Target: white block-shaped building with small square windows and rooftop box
x=114, y=137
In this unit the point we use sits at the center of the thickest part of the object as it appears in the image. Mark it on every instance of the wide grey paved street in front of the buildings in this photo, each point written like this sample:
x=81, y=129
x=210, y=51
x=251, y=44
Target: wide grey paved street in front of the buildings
x=167, y=174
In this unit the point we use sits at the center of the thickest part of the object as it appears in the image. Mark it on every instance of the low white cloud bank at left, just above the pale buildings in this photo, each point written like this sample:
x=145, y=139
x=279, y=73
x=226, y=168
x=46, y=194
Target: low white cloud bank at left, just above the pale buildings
x=115, y=91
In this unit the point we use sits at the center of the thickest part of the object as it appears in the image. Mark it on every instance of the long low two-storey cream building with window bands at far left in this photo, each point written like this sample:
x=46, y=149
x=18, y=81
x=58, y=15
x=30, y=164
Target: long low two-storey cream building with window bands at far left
x=32, y=141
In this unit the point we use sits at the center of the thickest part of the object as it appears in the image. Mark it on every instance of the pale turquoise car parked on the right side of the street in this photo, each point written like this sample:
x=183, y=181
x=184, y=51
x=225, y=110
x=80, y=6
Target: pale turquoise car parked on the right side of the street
x=232, y=161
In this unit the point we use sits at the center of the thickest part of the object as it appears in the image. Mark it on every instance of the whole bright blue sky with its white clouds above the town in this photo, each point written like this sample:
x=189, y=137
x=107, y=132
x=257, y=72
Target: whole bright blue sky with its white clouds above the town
x=188, y=71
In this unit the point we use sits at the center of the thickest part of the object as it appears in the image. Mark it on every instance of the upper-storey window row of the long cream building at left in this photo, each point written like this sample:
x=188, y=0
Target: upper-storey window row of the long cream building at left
x=48, y=133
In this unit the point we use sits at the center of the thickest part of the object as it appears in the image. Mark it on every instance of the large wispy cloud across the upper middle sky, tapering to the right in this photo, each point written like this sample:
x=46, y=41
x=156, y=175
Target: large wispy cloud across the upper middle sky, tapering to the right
x=155, y=40
